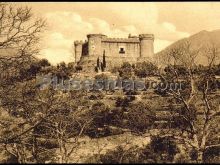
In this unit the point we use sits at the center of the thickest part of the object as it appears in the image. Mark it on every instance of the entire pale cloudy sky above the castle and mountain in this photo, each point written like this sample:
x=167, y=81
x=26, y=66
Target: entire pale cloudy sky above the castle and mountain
x=168, y=21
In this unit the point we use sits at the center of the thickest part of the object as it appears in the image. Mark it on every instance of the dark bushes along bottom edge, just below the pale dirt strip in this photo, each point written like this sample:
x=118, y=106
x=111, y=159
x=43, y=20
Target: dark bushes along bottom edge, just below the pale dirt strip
x=160, y=150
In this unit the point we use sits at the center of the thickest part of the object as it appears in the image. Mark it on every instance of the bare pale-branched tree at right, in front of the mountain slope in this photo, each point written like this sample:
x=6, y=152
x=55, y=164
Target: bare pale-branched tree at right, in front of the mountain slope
x=199, y=107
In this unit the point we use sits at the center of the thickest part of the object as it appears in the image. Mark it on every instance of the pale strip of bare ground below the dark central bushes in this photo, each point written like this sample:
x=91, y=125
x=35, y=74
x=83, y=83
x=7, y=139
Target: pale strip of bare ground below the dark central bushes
x=89, y=147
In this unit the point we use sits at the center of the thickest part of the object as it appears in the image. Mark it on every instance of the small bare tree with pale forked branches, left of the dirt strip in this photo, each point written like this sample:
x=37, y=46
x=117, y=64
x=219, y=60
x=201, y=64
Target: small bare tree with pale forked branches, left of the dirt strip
x=67, y=125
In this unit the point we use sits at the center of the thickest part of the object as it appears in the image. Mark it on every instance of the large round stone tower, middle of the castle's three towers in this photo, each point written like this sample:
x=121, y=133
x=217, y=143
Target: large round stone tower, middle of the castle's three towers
x=95, y=44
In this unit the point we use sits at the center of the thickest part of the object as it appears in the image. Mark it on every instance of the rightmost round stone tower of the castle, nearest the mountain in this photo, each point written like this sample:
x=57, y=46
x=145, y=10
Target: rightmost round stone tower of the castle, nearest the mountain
x=146, y=46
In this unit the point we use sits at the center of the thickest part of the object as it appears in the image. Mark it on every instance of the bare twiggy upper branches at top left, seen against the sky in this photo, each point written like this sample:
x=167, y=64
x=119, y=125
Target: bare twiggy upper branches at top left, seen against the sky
x=18, y=29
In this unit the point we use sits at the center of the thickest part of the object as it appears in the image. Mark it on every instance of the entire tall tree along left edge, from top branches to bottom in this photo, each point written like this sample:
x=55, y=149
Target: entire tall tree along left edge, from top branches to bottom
x=19, y=34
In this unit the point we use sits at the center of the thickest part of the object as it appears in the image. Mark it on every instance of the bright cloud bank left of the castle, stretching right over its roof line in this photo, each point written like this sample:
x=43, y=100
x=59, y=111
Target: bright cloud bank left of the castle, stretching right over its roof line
x=65, y=27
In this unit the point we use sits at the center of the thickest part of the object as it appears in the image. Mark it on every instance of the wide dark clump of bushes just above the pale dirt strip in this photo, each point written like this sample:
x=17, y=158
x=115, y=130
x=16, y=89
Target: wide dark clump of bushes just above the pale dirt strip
x=138, y=117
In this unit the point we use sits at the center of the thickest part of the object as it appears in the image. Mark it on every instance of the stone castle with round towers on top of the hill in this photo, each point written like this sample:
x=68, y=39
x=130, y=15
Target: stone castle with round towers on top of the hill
x=117, y=50
